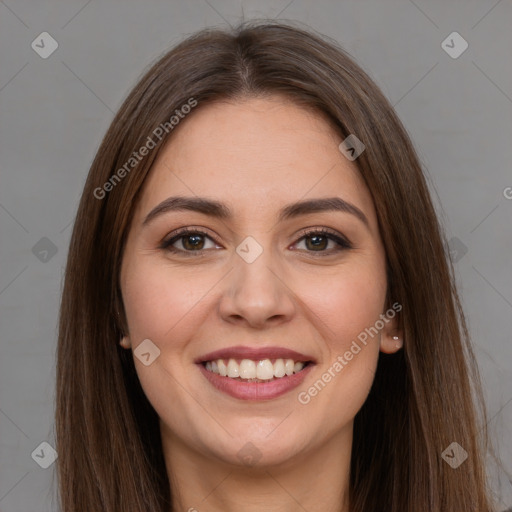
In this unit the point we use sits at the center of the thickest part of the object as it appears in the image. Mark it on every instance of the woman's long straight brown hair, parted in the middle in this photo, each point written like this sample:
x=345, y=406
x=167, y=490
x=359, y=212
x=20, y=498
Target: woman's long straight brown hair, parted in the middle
x=424, y=397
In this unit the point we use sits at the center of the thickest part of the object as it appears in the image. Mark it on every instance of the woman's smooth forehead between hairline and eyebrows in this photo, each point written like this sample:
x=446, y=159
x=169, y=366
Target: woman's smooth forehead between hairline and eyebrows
x=255, y=154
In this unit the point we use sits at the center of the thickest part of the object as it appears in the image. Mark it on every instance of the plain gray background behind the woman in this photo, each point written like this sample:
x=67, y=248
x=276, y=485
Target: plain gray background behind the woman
x=55, y=111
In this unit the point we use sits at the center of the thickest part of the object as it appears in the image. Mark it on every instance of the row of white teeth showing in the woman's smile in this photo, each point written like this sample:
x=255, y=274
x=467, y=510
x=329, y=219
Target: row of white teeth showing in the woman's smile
x=249, y=369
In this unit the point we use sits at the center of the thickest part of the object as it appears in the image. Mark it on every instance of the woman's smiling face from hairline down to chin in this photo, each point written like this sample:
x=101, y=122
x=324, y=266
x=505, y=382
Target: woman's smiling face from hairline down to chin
x=258, y=285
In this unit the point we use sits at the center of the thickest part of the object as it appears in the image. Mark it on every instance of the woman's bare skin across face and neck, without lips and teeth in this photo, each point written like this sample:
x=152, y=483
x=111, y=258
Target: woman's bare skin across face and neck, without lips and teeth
x=256, y=156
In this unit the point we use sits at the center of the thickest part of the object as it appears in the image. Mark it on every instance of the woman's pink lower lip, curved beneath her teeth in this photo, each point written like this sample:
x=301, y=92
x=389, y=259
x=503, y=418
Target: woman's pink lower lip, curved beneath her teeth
x=256, y=390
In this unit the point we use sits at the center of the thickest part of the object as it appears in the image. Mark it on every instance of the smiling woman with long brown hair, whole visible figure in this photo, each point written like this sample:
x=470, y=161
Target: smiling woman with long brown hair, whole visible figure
x=258, y=312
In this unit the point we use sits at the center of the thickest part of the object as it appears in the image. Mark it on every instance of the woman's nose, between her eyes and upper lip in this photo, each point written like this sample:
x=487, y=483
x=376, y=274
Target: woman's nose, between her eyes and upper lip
x=256, y=294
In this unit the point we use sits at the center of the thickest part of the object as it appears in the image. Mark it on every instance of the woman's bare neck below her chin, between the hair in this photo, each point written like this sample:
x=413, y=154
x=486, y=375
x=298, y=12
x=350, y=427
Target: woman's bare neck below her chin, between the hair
x=316, y=480
